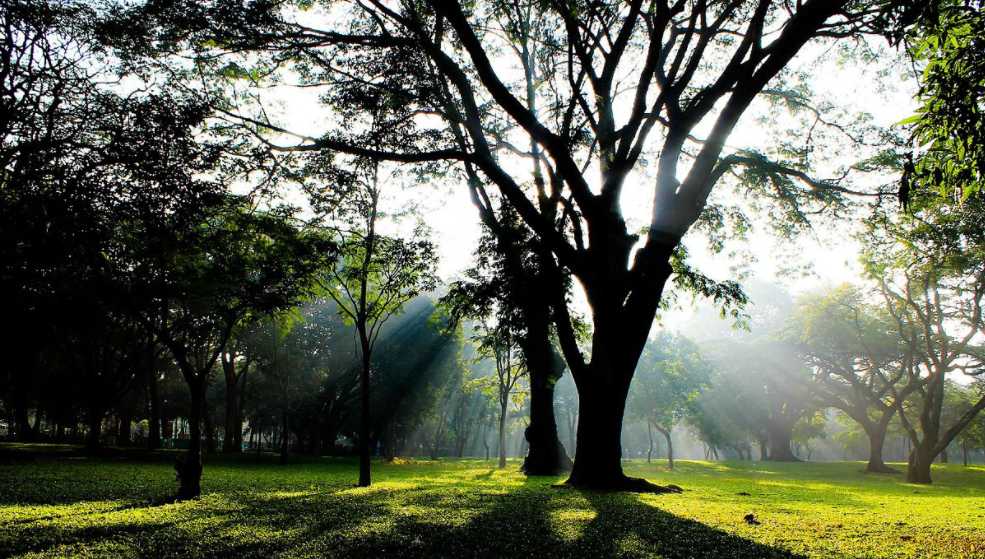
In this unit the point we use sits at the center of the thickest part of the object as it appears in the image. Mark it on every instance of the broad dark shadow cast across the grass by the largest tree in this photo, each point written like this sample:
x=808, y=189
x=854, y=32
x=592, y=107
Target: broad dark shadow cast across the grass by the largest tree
x=532, y=520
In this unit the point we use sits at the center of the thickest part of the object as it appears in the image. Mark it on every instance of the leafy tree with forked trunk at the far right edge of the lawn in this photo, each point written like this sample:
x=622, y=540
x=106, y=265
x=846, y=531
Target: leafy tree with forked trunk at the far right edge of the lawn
x=929, y=266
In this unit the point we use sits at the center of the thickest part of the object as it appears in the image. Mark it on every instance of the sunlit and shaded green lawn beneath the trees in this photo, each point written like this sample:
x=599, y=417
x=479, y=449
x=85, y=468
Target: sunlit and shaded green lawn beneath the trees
x=57, y=503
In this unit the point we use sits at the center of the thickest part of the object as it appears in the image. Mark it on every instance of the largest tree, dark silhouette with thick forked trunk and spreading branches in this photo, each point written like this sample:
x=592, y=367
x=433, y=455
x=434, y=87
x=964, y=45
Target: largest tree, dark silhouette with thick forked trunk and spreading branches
x=620, y=83
